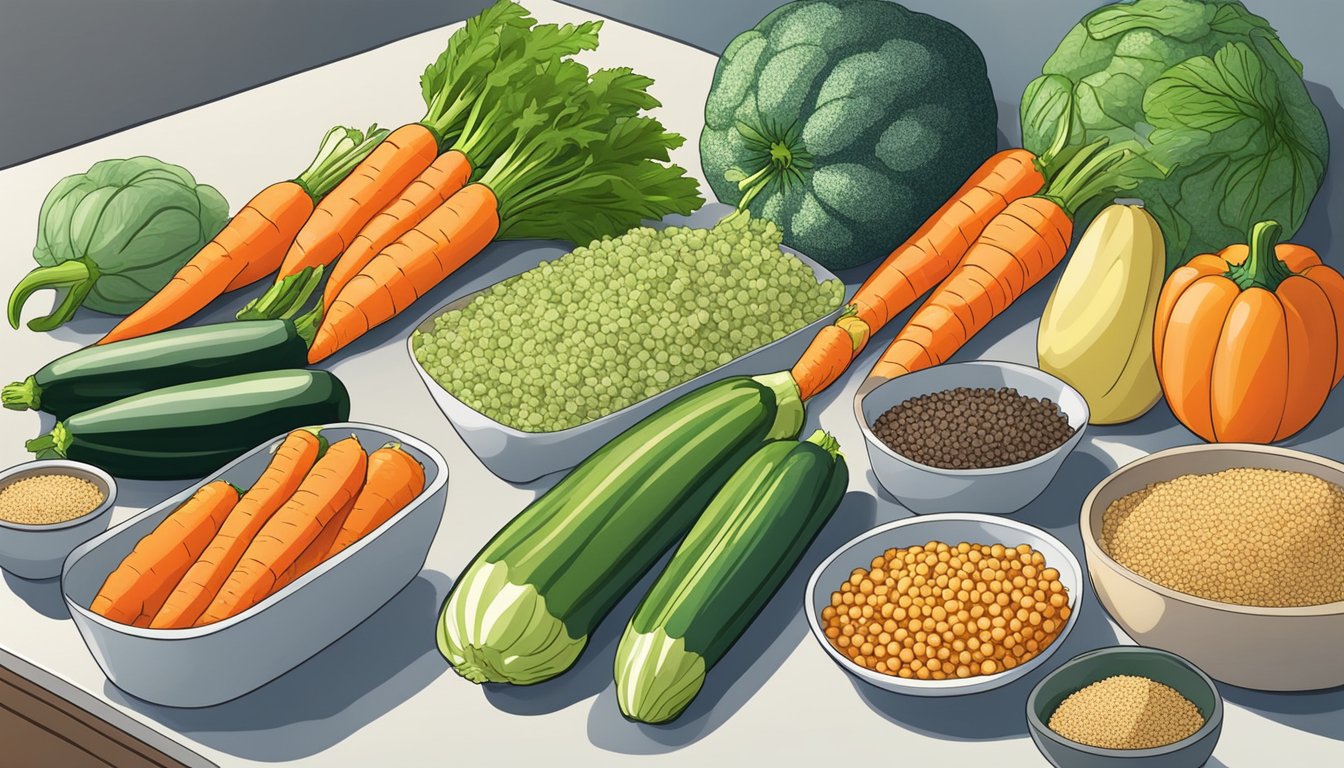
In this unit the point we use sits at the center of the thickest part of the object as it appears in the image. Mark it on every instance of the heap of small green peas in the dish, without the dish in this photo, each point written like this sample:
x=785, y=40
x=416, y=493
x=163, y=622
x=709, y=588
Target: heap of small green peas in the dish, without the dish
x=620, y=321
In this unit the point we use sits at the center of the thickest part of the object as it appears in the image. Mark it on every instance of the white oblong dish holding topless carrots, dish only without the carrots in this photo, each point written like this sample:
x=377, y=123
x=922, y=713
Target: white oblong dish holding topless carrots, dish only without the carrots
x=204, y=666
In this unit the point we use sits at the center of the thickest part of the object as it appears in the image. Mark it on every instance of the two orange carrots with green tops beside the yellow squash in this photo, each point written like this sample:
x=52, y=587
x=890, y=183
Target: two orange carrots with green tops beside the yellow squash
x=1007, y=228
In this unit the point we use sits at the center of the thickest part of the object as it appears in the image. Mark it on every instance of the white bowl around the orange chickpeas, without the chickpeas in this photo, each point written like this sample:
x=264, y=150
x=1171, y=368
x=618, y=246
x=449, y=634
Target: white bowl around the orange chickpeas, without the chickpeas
x=952, y=529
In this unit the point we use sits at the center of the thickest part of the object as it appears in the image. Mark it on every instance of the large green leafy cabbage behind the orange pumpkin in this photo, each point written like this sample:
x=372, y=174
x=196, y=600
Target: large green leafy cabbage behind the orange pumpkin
x=1210, y=92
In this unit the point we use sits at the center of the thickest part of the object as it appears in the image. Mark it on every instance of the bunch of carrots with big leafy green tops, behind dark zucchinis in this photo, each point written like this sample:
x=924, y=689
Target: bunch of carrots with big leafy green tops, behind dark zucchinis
x=518, y=142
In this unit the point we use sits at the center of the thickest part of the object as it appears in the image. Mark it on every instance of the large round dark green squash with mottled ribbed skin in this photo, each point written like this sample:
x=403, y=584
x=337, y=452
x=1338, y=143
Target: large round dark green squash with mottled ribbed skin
x=847, y=123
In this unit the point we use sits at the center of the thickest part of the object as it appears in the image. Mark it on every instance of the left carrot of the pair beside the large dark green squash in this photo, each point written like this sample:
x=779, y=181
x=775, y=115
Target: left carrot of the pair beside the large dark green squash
x=919, y=266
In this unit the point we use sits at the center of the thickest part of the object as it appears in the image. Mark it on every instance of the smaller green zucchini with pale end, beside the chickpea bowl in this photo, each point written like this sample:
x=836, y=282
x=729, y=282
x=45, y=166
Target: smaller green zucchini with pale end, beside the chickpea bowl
x=733, y=562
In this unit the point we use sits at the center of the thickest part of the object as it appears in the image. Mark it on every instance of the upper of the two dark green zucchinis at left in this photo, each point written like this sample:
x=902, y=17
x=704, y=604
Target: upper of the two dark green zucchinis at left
x=96, y=376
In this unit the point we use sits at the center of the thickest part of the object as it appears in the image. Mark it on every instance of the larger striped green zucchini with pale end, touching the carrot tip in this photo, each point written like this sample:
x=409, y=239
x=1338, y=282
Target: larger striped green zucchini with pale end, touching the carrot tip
x=526, y=606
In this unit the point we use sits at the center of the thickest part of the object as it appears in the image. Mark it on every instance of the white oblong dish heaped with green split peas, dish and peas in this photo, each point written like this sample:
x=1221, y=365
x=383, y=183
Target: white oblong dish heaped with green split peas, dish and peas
x=538, y=372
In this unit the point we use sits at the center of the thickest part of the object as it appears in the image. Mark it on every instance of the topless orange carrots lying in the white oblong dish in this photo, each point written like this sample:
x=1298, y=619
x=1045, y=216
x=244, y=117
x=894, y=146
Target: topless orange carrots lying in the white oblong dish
x=225, y=551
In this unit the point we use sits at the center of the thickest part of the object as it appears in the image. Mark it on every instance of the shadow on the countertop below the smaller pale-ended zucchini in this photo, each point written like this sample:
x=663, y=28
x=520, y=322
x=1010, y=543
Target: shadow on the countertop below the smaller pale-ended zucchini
x=771, y=640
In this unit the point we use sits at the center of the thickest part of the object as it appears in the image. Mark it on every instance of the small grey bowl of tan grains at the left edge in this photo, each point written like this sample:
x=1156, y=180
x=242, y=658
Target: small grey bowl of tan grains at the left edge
x=48, y=509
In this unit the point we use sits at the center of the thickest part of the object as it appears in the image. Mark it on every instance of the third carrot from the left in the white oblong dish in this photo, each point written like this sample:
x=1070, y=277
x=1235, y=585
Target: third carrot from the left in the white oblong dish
x=333, y=482
